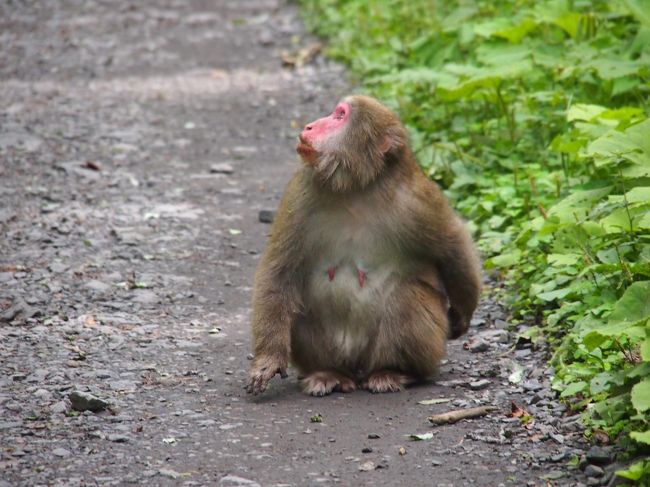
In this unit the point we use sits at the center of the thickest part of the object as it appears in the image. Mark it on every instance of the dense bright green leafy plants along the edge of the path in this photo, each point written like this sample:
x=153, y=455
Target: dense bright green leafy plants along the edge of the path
x=534, y=116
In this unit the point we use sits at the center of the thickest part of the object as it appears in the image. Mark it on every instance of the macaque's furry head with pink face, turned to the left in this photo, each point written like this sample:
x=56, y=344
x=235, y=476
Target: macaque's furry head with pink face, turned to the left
x=351, y=147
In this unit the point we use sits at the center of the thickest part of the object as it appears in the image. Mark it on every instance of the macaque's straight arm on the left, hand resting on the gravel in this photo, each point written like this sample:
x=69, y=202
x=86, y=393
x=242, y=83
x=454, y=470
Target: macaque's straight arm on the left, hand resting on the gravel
x=276, y=294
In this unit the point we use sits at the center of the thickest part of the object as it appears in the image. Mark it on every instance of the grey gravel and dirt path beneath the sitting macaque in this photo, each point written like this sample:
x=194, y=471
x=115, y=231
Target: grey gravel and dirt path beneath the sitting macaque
x=126, y=267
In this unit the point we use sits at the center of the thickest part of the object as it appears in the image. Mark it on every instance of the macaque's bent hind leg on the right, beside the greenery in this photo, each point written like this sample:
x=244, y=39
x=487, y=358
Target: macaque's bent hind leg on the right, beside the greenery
x=411, y=339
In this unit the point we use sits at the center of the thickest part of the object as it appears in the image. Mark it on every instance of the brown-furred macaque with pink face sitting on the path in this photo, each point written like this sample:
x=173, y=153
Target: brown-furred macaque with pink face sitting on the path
x=368, y=270
